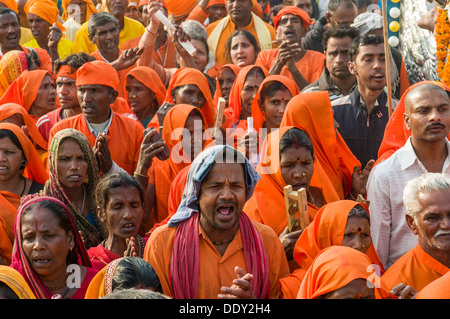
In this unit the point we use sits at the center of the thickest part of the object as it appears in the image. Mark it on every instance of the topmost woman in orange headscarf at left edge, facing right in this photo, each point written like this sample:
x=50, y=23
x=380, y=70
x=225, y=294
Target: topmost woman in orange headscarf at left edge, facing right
x=34, y=90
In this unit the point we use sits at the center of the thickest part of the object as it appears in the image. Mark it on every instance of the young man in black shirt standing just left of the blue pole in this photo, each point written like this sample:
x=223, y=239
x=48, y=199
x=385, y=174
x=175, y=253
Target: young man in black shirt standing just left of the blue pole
x=363, y=114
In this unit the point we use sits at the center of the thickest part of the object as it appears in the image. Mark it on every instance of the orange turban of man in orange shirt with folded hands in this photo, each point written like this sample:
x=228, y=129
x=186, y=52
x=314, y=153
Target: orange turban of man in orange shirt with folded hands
x=98, y=73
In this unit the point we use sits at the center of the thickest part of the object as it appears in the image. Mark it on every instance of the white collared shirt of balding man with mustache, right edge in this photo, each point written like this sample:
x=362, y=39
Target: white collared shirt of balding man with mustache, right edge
x=390, y=233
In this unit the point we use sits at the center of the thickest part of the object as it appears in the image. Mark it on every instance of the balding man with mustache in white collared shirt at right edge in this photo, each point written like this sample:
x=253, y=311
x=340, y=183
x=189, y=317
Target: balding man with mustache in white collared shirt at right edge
x=427, y=116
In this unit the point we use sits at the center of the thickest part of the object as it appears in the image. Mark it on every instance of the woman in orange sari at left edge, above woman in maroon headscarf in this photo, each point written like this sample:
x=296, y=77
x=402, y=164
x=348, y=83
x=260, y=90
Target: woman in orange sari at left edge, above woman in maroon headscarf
x=21, y=173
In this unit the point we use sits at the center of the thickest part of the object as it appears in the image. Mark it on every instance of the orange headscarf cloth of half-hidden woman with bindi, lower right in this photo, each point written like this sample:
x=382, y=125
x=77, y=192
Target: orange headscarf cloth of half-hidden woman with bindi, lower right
x=326, y=230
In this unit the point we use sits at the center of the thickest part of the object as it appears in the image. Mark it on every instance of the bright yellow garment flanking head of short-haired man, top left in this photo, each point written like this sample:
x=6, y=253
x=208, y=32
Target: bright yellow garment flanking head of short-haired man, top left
x=131, y=29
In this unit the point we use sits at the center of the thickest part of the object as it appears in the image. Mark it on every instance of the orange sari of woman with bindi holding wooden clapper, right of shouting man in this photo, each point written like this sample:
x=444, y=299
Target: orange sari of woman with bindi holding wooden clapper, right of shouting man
x=267, y=204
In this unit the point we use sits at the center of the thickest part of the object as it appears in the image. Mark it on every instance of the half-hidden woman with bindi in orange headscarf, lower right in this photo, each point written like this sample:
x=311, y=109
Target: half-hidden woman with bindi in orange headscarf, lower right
x=341, y=223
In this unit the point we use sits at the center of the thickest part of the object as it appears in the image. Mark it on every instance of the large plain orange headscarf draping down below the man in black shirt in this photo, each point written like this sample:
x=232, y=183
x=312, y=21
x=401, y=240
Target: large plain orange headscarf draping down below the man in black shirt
x=312, y=112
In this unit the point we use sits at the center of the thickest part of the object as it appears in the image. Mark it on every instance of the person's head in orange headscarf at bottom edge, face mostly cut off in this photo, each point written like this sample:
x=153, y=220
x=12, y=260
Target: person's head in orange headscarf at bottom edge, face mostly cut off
x=337, y=267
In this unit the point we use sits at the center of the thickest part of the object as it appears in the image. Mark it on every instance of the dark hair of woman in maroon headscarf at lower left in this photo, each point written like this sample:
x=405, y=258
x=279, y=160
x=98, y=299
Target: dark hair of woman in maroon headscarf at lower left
x=64, y=221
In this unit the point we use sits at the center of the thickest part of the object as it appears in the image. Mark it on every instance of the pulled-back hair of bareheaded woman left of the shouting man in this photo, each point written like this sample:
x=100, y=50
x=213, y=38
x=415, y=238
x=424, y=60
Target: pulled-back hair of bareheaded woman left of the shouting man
x=112, y=181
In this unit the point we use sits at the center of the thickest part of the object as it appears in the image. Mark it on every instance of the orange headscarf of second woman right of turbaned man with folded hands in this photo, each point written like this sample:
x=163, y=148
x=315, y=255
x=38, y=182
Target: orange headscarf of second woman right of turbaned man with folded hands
x=184, y=76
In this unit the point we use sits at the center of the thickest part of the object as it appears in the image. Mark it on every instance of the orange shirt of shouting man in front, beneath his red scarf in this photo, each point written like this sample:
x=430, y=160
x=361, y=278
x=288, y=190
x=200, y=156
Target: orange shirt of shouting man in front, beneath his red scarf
x=215, y=270
